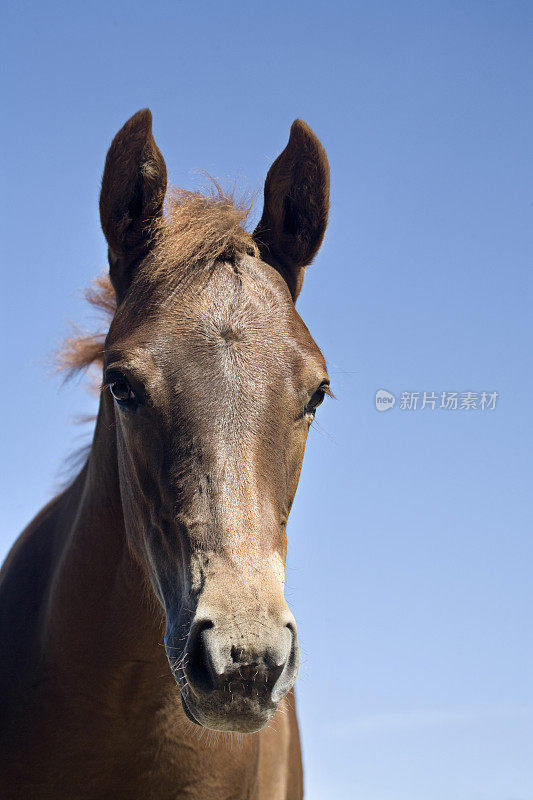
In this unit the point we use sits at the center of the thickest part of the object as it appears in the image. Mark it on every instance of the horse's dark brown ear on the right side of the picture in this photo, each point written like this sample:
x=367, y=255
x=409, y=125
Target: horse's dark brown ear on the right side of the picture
x=295, y=212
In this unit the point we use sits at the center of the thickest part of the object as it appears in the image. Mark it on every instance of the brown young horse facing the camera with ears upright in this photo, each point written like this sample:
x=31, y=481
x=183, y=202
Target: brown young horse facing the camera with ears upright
x=169, y=546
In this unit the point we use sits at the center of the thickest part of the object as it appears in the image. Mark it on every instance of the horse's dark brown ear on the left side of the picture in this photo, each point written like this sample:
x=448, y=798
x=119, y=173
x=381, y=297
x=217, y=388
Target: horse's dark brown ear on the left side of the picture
x=131, y=200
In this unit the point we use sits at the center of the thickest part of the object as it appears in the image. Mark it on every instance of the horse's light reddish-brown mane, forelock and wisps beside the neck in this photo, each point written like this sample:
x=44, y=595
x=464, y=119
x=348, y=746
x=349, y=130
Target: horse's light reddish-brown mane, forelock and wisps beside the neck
x=196, y=229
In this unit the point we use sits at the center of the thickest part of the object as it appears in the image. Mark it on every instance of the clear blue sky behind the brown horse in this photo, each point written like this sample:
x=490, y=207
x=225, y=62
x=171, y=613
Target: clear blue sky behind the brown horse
x=410, y=555
